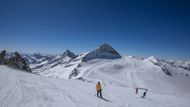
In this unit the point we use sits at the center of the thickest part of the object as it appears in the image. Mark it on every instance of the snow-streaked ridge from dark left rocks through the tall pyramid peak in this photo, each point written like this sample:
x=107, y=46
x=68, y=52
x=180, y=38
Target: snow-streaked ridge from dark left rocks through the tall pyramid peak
x=66, y=65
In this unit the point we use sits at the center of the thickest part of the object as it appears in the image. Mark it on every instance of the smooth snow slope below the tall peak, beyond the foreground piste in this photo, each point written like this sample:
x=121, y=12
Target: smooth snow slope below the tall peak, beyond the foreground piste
x=136, y=73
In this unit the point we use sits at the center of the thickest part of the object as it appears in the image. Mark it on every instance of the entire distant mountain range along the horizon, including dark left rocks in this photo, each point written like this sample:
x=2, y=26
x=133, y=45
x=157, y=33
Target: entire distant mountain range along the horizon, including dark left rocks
x=71, y=66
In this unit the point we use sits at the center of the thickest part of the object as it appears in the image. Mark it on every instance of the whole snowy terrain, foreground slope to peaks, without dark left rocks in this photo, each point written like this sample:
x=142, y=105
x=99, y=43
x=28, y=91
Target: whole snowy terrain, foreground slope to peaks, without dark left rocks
x=168, y=82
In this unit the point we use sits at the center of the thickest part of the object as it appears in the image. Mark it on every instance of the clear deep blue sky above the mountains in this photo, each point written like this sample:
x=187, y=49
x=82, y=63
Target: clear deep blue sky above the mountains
x=133, y=27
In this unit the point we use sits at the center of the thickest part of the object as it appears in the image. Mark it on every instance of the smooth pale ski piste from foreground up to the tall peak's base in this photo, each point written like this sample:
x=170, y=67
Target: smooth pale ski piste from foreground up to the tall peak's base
x=118, y=77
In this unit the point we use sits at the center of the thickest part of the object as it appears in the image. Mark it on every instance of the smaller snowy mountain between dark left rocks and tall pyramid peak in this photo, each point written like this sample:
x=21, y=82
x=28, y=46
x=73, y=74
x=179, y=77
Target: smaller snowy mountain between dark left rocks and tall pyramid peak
x=59, y=66
